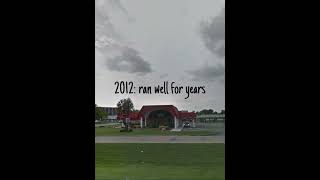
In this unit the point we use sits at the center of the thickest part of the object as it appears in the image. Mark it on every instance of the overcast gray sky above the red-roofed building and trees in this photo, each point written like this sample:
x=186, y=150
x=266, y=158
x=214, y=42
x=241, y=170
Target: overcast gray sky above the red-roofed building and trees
x=151, y=41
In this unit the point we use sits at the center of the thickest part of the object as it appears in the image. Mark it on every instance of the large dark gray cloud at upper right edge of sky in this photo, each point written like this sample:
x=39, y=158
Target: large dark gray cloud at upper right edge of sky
x=213, y=34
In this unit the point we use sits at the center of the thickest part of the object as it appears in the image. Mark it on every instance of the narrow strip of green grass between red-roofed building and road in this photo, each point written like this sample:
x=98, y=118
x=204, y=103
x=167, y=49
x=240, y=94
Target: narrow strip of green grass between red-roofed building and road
x=107, y=131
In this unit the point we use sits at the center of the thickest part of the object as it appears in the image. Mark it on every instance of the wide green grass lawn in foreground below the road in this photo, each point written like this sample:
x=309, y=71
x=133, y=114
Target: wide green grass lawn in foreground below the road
x=159, y=161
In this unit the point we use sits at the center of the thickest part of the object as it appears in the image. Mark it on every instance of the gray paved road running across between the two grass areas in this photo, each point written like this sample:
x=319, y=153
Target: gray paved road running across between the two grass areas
x=159, y=139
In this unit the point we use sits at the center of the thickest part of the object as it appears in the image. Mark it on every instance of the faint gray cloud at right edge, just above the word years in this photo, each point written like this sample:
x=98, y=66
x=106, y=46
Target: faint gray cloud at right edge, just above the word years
x=208, y=73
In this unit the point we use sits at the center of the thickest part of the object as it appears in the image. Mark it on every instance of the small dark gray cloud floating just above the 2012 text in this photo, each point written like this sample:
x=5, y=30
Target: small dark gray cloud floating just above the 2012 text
x=129, y=61
